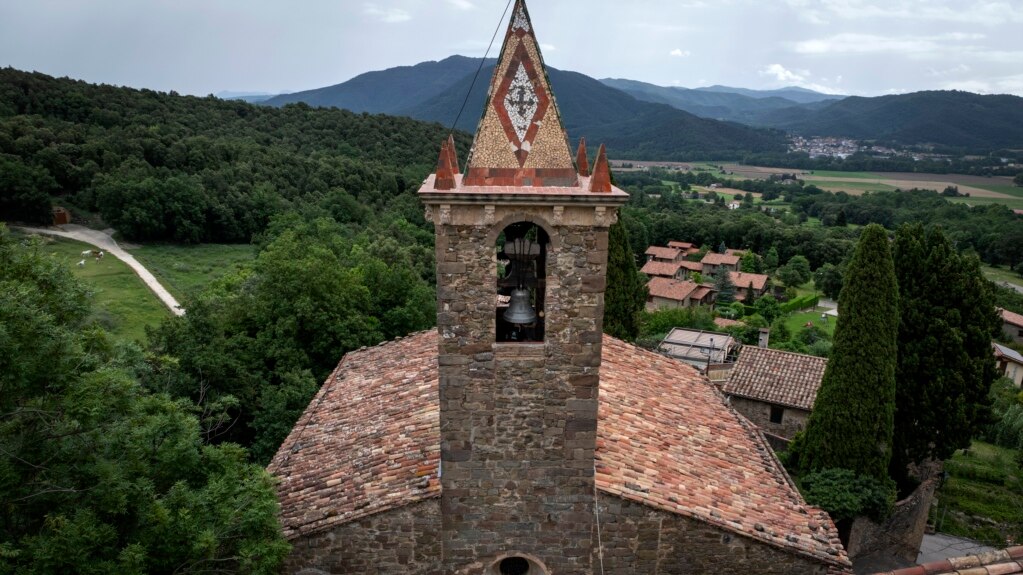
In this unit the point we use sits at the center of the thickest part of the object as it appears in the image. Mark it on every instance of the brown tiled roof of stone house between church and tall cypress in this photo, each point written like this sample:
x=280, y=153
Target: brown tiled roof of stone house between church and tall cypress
x=777, y=377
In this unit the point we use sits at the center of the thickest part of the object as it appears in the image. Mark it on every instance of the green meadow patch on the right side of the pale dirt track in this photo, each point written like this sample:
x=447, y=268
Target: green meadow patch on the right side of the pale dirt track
x=184, y=270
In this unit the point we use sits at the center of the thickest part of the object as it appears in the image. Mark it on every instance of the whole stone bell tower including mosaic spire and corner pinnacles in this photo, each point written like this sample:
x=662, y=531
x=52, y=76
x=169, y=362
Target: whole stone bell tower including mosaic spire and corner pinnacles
x=522, y=250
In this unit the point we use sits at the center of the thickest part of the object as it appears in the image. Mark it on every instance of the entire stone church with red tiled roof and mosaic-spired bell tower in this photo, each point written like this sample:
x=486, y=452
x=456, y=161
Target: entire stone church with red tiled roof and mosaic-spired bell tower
x=516, y=438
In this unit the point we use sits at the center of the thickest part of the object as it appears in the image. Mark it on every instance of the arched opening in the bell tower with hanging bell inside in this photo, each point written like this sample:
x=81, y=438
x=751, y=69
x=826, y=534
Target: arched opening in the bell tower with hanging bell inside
x=522, y=283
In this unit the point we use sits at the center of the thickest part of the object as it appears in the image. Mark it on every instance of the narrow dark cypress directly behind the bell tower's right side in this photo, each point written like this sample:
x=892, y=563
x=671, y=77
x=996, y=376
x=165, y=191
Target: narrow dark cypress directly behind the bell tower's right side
x=627, y=292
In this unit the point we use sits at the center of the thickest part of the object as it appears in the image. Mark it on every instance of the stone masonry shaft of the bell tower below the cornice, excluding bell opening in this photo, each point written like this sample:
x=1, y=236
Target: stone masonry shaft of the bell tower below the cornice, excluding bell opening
x=518, y=420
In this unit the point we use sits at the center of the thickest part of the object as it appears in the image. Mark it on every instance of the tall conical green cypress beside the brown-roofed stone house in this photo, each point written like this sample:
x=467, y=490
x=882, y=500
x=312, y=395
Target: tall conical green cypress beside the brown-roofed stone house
x=852, y=423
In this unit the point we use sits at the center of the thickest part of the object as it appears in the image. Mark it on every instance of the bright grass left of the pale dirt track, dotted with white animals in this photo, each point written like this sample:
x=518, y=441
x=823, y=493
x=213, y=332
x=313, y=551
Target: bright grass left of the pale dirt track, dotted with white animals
x=121, y=302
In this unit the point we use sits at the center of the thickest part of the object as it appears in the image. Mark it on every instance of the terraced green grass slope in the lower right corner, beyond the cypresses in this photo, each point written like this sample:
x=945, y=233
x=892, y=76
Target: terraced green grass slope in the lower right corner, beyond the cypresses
x=983, y=499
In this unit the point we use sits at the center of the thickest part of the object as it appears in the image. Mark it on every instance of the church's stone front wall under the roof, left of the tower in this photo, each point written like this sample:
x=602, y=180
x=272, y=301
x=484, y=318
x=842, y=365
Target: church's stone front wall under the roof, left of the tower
x=406, y=541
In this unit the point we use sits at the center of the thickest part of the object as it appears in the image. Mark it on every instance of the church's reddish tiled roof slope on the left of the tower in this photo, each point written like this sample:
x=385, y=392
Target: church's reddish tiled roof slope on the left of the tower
x=370, y=440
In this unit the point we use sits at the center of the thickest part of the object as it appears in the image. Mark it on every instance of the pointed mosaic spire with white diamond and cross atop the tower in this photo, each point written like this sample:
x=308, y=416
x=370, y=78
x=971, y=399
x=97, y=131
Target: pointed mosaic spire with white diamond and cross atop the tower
x=521, y=141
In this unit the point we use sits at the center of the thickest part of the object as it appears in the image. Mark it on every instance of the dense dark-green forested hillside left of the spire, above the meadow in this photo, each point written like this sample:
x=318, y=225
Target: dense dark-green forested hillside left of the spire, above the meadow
x=159, y=166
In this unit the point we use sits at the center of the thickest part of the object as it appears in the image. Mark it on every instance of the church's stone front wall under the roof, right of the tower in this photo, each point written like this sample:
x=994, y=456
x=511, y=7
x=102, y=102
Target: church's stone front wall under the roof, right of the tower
x=640, y=541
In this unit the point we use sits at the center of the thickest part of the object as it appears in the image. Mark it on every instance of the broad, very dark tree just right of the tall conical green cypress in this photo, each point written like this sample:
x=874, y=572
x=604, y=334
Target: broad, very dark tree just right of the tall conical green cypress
x=946, y=366
